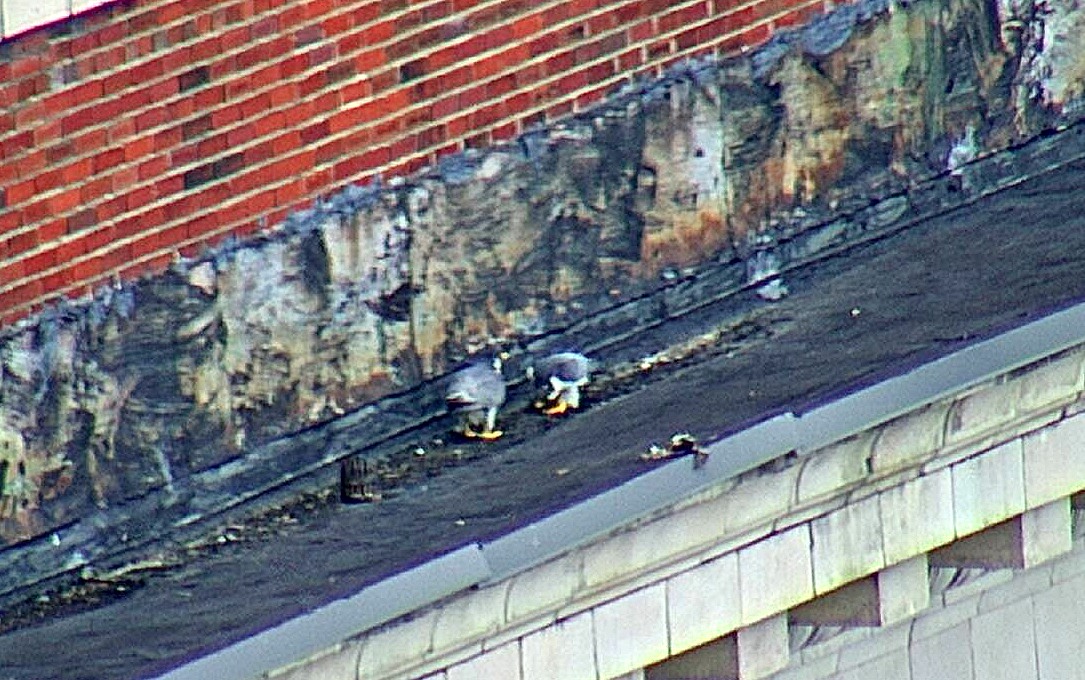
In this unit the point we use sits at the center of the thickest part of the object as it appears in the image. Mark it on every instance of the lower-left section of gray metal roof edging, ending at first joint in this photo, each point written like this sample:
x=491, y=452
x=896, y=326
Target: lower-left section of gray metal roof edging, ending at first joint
x=305, y=636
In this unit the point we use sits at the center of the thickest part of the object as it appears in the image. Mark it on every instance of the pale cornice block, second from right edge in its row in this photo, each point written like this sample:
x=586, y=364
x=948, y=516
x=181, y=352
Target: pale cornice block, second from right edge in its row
x=988, y=489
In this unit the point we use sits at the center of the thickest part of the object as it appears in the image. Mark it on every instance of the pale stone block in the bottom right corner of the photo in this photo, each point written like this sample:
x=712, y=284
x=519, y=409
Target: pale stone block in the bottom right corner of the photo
x=1061, y=631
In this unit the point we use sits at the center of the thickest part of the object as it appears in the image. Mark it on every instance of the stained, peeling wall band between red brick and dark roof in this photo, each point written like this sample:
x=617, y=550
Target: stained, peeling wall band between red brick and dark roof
x=163, y=401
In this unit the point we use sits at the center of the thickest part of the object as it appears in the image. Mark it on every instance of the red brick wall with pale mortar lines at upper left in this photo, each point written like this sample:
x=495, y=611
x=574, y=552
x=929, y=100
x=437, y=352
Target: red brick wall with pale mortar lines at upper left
x=157, y=127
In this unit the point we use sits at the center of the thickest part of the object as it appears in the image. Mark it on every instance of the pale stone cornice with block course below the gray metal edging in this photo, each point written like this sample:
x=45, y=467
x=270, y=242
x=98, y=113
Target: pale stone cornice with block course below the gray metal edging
x=734, y=583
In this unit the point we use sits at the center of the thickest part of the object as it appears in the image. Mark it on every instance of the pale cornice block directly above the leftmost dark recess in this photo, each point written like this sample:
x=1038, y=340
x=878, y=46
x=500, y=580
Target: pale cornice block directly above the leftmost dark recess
x=704, y=604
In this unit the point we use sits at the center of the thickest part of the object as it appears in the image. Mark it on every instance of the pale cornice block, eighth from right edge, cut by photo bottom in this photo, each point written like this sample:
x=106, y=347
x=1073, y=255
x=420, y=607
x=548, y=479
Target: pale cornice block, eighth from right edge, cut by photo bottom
x=563, y=651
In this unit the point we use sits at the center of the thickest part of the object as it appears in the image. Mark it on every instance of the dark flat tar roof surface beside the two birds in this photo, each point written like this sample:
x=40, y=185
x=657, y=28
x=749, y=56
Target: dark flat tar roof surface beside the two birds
x=850, y=323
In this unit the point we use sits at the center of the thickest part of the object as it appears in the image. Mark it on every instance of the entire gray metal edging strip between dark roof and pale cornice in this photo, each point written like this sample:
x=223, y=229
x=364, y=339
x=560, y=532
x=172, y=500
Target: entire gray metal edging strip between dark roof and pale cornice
x=479, y=564
